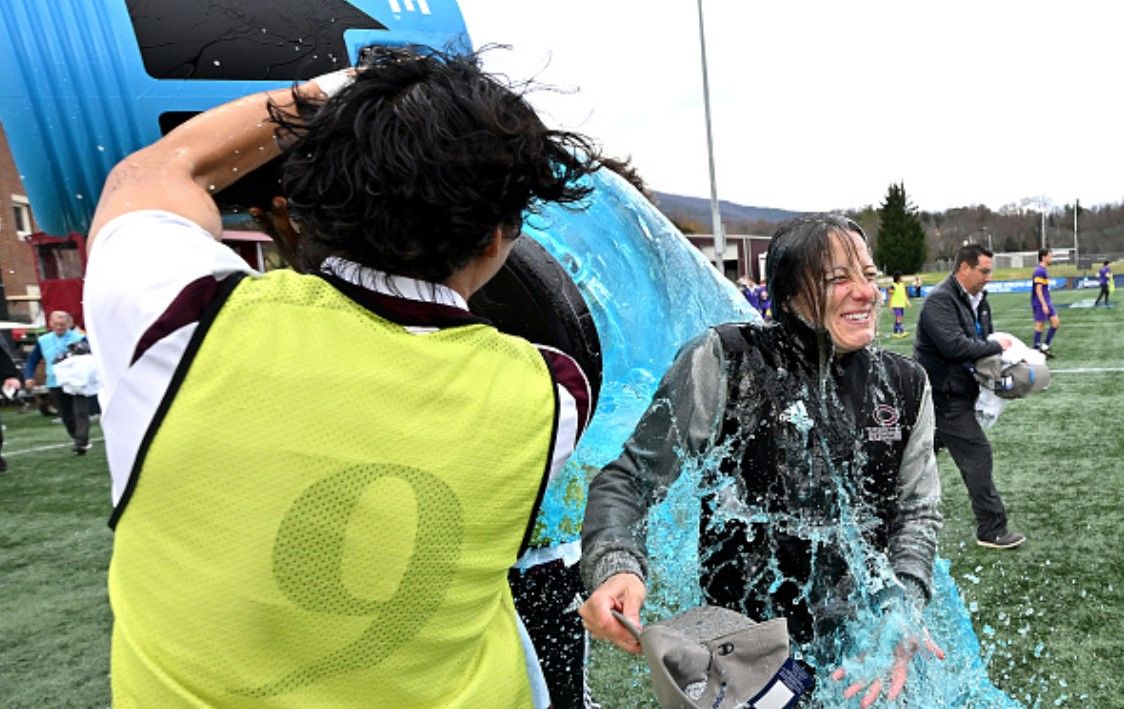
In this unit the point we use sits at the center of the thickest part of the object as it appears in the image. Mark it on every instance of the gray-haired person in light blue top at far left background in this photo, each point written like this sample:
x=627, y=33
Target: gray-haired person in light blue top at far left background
x=50, y=349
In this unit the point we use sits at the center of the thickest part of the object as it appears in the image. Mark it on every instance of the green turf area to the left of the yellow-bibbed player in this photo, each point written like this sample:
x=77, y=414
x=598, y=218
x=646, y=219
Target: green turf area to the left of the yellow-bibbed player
x=55, y=551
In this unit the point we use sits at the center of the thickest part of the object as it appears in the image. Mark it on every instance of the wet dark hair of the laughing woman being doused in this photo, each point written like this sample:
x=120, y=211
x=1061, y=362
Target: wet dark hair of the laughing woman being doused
x=799, y=263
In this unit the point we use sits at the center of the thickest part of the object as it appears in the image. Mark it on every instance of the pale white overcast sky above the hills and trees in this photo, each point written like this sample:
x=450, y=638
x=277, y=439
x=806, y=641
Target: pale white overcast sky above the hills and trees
x=821, y=106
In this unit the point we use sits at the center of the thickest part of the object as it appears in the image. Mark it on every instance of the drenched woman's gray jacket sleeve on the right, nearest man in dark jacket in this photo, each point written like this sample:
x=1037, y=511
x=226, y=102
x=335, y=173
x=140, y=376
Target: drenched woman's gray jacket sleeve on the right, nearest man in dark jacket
x=918, y=522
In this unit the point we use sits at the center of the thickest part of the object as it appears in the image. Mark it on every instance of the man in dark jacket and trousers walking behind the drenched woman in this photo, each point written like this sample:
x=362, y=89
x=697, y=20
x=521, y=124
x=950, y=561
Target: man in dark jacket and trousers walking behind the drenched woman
x=953, y=332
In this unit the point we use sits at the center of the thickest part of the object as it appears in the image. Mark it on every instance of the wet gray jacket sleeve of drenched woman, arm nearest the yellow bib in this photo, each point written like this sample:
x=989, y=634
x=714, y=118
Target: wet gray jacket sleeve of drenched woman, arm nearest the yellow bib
x=681, y=423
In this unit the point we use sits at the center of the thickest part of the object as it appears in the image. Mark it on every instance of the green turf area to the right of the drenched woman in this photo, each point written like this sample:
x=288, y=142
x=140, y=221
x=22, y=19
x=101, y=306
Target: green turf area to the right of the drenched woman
x=1049, y=614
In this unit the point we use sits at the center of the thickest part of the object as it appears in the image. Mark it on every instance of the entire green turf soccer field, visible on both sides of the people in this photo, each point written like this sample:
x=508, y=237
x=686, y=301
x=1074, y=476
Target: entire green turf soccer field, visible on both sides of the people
x=1047, y=615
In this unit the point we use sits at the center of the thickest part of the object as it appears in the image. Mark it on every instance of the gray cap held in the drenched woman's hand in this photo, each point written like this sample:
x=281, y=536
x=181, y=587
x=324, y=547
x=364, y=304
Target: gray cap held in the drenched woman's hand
x=715, y=658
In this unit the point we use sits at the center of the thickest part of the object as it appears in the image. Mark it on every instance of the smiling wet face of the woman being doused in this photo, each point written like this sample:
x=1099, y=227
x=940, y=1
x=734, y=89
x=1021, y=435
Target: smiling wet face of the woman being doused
x=853, y=297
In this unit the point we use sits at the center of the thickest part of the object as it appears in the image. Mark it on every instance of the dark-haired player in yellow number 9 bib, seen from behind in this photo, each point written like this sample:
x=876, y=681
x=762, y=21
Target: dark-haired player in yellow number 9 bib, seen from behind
x=321, y=479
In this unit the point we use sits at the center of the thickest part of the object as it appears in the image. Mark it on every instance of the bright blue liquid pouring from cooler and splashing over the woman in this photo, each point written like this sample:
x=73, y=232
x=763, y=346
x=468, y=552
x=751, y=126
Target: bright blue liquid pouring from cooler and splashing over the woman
x=649, y=293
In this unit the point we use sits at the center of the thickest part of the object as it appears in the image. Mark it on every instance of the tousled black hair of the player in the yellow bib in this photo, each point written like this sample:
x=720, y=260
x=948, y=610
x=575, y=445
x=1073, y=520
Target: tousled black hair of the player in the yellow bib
x=412, y=168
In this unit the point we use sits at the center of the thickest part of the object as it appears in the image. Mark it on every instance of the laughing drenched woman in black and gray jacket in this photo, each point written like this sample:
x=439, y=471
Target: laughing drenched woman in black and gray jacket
x=823, y=506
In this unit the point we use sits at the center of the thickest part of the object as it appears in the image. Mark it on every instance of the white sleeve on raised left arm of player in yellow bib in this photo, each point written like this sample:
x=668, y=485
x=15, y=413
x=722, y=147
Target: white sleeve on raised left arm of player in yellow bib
x=140, y=263
